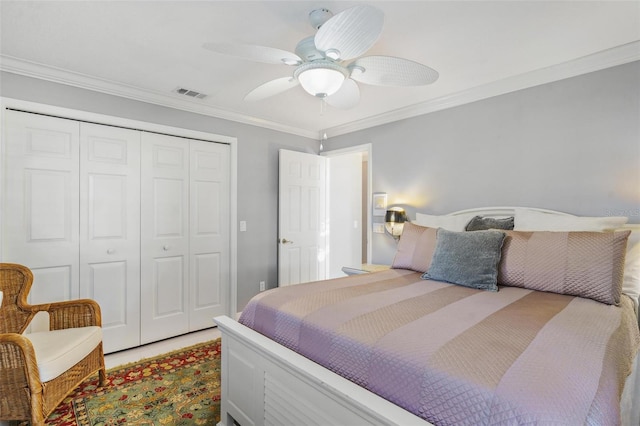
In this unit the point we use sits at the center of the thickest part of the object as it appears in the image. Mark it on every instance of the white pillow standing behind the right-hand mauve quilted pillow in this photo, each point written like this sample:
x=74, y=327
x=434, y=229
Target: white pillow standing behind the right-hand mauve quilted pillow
x=531, y=220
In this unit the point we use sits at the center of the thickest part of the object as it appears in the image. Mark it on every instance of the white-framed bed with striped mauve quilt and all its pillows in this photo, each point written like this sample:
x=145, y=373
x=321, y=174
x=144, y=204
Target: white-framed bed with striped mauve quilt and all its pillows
x=547, y=335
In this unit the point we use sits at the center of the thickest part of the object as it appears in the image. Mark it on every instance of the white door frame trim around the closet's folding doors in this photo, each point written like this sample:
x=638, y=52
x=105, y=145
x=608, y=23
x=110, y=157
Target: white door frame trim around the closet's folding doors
x=11, y=103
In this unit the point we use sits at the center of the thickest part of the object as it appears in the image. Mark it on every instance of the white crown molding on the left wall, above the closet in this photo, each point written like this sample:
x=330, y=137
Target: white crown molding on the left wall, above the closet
x=44, y=72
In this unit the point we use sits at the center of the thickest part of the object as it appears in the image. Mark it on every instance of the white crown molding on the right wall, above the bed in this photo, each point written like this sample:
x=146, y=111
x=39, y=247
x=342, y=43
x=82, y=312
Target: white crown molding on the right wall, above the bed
x=619, y=55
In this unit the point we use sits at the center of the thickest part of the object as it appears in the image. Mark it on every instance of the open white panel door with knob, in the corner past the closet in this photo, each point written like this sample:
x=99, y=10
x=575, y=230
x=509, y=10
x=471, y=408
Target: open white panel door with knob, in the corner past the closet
x=301, y=218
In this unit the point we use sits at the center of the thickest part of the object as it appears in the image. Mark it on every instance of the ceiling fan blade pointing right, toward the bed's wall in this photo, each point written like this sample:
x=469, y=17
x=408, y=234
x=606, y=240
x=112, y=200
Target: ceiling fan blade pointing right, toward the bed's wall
x=390, y=71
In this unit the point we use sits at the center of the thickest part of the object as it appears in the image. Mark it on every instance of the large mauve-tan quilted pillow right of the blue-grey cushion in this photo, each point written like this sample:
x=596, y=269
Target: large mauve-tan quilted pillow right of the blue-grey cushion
x=585, y=264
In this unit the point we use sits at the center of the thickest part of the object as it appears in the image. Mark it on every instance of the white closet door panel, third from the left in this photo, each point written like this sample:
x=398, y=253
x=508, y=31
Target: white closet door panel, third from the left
x=164, y=237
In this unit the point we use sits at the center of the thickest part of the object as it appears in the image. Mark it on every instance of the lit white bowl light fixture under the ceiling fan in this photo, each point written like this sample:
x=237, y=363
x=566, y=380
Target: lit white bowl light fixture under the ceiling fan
x=321, y=78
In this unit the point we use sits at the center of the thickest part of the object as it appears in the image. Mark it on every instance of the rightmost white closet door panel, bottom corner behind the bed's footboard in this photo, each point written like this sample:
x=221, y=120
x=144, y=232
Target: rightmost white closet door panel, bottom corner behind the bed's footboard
x=209, y=233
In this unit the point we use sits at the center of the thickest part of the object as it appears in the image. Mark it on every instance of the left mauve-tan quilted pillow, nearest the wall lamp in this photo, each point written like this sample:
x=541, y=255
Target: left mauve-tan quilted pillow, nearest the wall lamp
x=415, y=248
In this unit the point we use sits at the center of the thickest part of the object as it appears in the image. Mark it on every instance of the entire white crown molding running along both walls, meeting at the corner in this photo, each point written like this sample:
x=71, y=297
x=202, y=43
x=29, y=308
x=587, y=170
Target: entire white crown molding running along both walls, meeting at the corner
x=619, y=55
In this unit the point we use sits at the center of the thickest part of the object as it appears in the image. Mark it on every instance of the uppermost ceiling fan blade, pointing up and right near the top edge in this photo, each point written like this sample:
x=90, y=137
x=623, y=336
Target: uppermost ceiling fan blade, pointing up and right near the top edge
x=351, y=32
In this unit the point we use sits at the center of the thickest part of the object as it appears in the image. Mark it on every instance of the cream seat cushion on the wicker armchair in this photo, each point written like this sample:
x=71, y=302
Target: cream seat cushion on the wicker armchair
x=58, y=350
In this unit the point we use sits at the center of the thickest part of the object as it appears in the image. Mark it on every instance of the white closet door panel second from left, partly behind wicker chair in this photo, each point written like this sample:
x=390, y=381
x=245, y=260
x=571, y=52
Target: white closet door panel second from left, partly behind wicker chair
x=110, y=230
